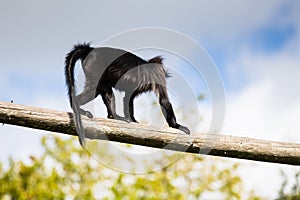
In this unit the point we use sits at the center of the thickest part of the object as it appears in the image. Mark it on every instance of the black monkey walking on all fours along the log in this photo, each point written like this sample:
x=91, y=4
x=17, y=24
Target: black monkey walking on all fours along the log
x=106, y=68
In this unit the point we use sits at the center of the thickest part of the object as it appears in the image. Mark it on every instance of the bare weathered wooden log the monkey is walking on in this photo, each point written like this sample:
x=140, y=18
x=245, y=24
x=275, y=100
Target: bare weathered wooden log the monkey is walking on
x=171, y=139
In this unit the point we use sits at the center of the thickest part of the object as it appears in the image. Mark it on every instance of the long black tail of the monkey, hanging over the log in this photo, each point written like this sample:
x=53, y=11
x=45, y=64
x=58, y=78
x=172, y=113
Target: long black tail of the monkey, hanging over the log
x=79, y=51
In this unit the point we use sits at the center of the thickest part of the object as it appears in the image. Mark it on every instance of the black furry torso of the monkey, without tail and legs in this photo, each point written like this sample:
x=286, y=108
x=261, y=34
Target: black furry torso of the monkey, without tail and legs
x=124, y=70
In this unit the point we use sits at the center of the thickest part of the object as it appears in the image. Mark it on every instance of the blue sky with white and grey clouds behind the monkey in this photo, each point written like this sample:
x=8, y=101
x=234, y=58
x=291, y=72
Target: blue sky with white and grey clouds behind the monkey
x=255, y=46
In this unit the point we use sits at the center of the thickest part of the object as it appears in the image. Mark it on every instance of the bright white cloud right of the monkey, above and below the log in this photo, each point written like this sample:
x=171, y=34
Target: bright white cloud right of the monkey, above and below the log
x=268, y=107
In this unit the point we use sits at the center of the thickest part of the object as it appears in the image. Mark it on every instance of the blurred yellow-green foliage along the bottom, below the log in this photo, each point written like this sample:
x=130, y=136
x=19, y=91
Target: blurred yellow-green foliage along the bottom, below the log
x=66, y=171
